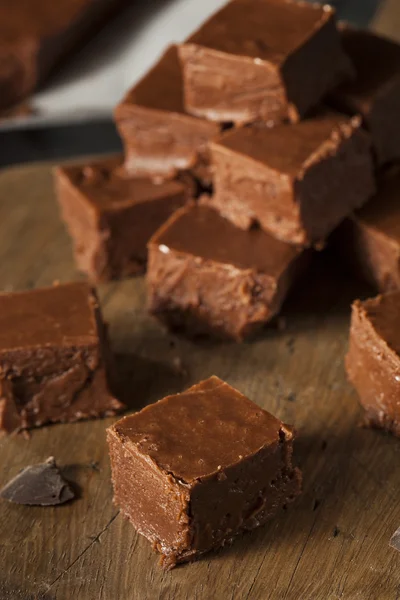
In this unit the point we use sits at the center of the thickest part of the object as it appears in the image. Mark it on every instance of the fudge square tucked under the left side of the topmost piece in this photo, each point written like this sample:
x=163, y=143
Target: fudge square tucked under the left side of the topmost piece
x=159, y=137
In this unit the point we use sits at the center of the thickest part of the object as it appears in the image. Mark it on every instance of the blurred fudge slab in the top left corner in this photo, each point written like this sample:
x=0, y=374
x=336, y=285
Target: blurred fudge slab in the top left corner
x=36, y=34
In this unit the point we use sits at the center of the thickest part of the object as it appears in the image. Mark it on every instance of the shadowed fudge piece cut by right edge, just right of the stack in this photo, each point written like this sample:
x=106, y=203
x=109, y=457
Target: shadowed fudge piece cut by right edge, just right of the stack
x=369, y=241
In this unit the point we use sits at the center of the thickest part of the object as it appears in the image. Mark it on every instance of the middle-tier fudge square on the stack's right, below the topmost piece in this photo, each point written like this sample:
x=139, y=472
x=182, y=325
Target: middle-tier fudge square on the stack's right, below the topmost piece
x=296, y=181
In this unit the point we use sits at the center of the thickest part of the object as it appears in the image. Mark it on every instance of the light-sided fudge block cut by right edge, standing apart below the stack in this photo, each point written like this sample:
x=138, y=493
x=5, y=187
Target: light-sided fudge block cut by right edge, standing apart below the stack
x=373, y=359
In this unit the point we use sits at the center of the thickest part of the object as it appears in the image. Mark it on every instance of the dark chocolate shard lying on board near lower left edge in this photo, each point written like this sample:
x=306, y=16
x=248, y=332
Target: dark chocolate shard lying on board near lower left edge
x=38, y=485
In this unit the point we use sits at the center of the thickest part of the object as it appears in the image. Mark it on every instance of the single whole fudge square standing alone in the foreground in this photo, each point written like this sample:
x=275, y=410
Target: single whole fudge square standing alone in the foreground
x=194, y=470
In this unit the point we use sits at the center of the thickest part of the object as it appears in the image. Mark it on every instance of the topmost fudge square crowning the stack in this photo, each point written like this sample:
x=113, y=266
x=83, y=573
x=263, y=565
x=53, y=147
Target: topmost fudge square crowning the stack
x=268, y=60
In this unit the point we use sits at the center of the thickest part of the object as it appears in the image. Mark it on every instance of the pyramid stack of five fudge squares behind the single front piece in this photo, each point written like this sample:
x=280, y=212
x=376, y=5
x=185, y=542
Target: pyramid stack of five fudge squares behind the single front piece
x=228, y=128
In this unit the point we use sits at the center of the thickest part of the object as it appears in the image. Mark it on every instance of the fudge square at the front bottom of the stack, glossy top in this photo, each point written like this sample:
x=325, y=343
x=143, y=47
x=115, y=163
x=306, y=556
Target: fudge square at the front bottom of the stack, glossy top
x=206, y=276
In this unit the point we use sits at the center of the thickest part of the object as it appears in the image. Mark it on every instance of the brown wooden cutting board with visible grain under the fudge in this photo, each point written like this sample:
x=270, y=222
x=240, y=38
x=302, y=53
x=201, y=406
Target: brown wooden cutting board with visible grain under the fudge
x=331, y=544
